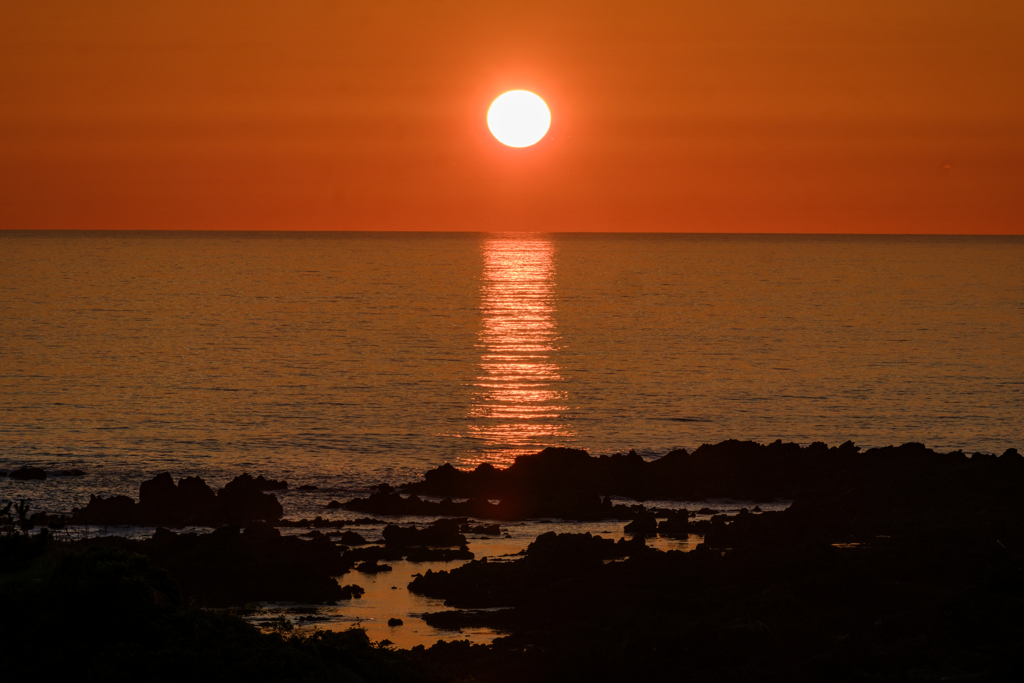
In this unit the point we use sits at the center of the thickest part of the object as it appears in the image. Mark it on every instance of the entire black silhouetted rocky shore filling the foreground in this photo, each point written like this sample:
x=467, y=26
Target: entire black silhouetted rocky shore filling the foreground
x=898, y=564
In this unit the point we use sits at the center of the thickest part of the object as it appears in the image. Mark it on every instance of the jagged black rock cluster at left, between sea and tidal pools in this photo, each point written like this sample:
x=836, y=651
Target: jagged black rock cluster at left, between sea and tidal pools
x=192, y=502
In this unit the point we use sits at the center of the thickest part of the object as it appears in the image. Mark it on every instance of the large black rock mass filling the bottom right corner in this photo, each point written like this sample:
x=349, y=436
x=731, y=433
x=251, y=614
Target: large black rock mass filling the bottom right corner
x=909, y=565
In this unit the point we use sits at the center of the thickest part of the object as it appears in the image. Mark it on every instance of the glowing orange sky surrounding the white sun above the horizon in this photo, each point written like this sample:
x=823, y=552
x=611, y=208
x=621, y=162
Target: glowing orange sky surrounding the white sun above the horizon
x=715, y=116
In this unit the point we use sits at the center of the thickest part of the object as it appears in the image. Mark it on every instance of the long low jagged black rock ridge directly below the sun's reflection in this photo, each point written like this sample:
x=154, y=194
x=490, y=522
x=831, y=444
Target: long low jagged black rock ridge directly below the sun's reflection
x=568, y=484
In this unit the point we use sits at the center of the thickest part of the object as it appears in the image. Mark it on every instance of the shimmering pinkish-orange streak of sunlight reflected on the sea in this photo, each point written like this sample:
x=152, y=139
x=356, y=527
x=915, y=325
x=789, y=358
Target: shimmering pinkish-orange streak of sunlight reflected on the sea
x=519, y=405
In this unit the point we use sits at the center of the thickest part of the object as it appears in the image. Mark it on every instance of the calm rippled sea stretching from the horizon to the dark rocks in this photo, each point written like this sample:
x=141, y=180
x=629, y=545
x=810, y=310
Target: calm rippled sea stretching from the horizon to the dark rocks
x=344, y=360
